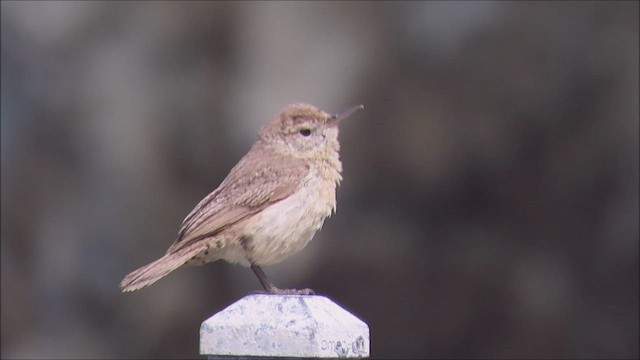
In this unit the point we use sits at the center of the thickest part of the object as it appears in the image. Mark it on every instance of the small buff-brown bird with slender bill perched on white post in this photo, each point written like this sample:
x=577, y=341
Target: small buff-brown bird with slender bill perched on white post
x=269, y=206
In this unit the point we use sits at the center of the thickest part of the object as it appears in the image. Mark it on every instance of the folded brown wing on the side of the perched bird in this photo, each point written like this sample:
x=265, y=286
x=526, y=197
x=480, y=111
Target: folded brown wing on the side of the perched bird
x=257, y=181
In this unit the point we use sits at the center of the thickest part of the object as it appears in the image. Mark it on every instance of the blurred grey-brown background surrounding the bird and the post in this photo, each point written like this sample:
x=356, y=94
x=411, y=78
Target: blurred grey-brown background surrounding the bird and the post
x=489, y=207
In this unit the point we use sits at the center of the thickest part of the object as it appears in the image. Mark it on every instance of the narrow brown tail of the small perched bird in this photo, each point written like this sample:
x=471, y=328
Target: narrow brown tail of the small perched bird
x=156, y=270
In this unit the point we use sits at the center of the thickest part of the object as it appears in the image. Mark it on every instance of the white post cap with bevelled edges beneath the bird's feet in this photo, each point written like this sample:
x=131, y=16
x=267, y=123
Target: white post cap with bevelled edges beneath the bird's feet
x=284, y=326
